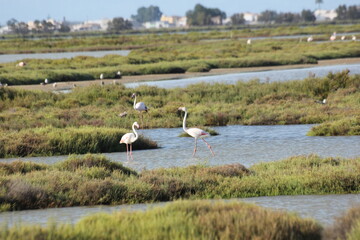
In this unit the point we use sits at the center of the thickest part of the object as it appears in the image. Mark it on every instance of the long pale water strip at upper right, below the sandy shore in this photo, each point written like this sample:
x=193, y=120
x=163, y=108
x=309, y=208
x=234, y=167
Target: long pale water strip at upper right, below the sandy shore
x=263, y=76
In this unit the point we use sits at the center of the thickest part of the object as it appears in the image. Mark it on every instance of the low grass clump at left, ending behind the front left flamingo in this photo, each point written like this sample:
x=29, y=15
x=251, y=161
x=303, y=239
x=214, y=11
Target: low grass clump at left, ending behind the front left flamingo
x=56, y=141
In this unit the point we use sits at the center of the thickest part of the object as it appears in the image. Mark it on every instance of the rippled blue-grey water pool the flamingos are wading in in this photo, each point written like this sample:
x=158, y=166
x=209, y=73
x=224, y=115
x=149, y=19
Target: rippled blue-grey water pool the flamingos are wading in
x=235, y=144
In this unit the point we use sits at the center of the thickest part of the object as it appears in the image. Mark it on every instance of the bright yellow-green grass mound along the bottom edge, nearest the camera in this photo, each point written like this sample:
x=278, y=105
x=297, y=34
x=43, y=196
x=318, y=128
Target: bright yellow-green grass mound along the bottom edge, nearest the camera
x=180, y=220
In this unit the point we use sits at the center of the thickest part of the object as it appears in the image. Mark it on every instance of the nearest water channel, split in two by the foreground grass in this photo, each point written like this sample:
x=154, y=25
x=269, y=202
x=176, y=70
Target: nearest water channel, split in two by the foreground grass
x=323, y=208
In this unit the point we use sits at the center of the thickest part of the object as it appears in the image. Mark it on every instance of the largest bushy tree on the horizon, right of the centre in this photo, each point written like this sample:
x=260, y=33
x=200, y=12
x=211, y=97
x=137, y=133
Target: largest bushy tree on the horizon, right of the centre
x=202, y=16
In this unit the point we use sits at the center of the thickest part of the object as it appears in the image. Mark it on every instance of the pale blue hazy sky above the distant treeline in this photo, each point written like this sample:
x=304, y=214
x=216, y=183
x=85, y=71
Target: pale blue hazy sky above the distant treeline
x=80, y=10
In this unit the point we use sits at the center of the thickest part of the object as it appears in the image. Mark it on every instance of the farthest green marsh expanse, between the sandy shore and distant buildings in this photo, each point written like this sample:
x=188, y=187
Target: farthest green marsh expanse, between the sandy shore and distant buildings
x=171, y=53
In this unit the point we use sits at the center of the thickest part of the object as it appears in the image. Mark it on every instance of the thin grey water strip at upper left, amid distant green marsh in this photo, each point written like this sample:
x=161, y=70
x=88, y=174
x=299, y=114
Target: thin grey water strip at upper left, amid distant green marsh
x=17, y=57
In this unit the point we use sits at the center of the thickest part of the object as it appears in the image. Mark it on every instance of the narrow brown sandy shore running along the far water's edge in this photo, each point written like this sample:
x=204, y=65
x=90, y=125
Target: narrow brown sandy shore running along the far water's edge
x=158, y=77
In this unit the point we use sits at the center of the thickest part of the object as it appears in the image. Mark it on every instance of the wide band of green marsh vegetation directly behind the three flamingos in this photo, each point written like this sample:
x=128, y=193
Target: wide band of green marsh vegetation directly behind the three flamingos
x=86, y=120
